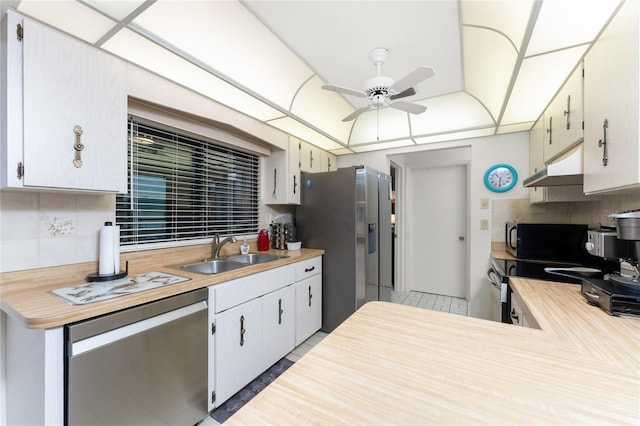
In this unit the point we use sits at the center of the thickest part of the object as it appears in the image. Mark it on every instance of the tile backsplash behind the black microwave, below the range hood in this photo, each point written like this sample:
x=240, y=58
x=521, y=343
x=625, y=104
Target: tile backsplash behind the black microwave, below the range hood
x=593, y=213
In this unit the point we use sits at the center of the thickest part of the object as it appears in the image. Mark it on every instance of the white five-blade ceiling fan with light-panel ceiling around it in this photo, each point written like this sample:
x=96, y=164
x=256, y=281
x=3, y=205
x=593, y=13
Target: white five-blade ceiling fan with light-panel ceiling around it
x=381, y=90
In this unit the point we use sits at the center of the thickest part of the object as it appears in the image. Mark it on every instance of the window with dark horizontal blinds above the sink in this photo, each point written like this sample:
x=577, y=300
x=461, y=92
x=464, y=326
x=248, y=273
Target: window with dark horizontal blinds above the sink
x=185, y=188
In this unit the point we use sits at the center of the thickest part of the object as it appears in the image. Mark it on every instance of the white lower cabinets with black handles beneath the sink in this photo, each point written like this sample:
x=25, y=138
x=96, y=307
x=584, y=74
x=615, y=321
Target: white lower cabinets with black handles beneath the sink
x=257, y=320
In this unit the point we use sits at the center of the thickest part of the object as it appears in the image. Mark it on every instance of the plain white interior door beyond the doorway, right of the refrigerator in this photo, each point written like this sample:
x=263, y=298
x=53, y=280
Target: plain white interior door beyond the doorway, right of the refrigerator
x=436, y=230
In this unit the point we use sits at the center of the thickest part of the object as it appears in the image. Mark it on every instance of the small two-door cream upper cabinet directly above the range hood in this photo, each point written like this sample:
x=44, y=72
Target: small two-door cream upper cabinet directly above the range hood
x=563, y=119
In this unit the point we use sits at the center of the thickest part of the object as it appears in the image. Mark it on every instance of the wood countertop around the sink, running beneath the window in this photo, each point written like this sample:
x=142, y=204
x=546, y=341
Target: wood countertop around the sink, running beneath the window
x=25, y=294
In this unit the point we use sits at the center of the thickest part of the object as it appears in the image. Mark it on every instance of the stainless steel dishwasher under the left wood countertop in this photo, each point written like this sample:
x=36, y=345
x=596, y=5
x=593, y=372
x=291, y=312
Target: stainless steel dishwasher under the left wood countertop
x=143, y=365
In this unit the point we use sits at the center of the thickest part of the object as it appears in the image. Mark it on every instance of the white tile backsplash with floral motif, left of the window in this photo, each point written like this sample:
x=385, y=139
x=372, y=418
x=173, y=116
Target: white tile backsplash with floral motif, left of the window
x=48, y=229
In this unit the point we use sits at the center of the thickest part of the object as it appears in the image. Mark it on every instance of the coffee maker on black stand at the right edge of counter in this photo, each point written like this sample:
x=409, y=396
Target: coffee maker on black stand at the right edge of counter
x=617, y=293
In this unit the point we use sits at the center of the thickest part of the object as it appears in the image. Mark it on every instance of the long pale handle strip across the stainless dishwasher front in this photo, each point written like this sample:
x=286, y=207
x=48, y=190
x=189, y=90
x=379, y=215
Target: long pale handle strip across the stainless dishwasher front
x=104, y=339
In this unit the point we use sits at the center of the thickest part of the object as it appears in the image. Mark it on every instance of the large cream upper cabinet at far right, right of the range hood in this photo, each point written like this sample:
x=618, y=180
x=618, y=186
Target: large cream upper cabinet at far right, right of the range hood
x=611, y=136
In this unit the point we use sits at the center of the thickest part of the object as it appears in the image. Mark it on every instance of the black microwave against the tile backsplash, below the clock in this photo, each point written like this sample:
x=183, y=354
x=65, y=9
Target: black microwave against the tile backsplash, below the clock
x=546, y=241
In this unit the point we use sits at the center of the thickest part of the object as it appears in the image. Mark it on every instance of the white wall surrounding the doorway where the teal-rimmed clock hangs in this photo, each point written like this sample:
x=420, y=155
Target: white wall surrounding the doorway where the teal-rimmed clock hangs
x=510, y=148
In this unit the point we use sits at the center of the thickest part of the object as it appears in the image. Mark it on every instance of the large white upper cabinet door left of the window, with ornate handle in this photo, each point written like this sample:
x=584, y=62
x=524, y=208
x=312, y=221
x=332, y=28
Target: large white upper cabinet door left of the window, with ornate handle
x=74, y=95
